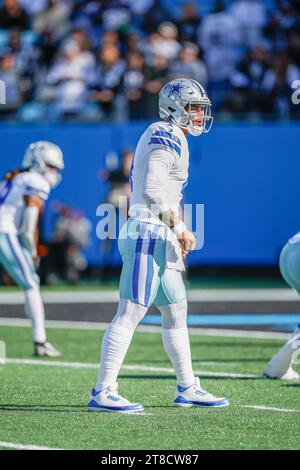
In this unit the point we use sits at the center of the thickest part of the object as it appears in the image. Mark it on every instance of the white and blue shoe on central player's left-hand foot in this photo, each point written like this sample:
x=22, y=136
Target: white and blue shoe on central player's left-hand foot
x=108, y=399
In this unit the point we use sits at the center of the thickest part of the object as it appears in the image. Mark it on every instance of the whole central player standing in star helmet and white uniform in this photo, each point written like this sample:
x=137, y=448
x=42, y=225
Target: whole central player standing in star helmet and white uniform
x=152, y=244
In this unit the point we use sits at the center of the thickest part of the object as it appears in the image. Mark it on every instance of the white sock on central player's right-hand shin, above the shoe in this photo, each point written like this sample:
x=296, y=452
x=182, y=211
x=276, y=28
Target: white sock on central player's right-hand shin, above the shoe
x=177, y=345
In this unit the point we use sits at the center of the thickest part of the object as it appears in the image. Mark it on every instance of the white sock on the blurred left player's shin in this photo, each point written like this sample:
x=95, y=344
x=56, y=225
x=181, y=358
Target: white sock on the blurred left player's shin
x=34, y=310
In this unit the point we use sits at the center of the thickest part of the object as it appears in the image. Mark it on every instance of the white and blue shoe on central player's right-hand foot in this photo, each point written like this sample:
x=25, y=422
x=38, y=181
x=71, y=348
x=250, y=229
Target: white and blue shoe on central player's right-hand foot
x=196, y=396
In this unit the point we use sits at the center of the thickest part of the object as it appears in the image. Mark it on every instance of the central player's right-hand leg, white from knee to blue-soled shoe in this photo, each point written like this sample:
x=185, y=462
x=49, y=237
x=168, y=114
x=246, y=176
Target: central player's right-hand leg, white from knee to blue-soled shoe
x=171, y=301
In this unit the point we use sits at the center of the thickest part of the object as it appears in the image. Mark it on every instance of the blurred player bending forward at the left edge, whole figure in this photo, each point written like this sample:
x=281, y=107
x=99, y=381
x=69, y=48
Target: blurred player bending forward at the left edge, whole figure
x=22, y=196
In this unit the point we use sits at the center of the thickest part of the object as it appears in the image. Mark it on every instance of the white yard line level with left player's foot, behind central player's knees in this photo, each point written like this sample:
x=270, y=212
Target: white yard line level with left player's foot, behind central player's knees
x=81, y=325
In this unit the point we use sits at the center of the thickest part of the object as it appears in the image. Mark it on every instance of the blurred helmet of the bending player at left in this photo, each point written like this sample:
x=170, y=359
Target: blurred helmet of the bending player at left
x=45, y=158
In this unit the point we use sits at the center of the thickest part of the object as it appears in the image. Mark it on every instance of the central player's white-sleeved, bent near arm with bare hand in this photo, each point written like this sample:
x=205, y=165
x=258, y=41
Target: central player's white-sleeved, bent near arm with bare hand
x=159, y=164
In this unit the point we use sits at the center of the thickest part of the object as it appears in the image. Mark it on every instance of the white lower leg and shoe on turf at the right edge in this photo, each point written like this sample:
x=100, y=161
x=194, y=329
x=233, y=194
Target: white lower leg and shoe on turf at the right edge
x=280, y=366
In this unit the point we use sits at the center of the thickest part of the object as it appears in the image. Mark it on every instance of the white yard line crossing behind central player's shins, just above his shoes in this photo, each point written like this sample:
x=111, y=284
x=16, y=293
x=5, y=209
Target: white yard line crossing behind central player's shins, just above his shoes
x=87, y=365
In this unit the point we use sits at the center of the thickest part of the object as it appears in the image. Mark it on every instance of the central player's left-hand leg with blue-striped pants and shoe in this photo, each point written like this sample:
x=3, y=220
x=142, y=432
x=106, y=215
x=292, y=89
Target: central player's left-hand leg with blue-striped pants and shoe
x=138, y=286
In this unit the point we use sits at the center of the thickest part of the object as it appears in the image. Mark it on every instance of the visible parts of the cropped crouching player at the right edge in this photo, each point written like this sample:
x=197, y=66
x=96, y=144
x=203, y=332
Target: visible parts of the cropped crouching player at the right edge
x=280, y=366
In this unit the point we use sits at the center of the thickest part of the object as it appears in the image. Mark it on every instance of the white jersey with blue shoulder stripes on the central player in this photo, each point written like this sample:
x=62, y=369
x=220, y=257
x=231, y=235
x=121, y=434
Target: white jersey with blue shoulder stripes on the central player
x=160, y=162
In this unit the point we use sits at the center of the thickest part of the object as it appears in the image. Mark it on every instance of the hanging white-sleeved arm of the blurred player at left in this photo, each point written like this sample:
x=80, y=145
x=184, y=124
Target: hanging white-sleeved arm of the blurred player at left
x=29, y=231
